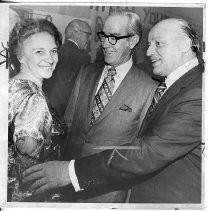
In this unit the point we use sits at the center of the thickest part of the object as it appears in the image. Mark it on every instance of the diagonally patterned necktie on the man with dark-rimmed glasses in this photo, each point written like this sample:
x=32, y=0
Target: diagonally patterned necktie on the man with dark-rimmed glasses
x=103, y=95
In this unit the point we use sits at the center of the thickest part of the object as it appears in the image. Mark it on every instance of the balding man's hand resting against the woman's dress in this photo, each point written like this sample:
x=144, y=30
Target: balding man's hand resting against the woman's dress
x=46, y=176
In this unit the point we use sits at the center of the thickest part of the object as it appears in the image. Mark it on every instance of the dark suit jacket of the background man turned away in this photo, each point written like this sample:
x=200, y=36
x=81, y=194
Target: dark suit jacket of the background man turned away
x=59, y=86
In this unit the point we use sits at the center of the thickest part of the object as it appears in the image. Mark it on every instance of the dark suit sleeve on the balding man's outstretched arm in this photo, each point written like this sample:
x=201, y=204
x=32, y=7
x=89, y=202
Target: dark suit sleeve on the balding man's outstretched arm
x=175, y=134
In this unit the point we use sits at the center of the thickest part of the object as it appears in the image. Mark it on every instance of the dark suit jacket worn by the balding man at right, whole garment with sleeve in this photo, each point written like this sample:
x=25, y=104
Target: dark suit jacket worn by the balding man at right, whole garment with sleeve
x=165, y=166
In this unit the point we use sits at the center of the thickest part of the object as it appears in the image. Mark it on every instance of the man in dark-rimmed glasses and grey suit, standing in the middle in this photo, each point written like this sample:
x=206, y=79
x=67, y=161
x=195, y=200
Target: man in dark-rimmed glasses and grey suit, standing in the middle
x=101, y=116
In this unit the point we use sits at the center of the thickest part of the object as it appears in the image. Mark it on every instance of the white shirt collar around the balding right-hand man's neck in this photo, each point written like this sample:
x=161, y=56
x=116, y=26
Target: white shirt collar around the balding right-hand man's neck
x=180, y=71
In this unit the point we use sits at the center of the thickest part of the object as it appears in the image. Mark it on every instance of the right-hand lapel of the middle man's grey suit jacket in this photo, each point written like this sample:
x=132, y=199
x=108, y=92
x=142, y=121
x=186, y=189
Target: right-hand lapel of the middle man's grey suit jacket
x=129, y=83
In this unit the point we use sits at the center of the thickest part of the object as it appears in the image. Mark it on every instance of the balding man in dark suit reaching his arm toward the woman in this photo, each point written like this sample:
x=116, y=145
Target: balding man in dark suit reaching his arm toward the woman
x=163, y=164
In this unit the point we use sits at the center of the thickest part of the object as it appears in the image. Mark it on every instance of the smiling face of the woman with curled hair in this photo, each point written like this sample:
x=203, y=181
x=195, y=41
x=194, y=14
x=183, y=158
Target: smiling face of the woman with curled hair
x=39, y=55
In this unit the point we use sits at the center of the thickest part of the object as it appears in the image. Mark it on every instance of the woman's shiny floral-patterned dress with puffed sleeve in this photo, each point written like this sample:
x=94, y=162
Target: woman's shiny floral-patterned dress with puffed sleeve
x=30, y=116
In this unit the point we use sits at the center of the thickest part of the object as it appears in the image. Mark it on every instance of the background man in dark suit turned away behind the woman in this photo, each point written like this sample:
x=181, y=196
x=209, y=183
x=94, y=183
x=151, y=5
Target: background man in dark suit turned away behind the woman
x=71, y=56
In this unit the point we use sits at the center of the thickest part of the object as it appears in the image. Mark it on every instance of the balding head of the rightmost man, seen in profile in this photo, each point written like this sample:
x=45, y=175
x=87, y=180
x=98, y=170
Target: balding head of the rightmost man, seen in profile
x=172, y=43
